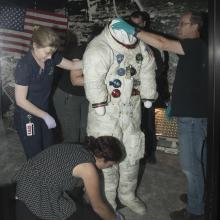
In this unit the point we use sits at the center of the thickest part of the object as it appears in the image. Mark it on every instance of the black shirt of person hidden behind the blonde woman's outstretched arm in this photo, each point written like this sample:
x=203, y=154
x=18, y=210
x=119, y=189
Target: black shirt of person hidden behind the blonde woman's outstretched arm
x=64, y=78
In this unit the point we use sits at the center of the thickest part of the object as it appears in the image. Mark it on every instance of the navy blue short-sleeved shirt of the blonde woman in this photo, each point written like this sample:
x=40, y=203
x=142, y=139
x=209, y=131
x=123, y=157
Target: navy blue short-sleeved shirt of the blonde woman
x=39, y=81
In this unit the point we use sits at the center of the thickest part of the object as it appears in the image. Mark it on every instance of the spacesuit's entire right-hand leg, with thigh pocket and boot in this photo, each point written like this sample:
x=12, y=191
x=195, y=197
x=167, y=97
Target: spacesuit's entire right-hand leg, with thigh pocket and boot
x=133, y=140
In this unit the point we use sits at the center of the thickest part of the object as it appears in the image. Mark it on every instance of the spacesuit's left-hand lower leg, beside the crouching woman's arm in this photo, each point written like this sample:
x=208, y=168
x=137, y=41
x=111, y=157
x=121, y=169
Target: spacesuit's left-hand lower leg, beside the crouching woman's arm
x=111, y=178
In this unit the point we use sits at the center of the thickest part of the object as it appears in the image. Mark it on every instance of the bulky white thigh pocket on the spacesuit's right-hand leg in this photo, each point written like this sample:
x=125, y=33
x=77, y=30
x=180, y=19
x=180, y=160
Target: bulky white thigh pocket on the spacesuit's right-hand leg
x=135, y=146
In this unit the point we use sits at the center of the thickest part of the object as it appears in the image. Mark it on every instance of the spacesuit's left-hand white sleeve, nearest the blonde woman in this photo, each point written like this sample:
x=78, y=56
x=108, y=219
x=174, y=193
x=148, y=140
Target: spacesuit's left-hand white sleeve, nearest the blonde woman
x=96, y=63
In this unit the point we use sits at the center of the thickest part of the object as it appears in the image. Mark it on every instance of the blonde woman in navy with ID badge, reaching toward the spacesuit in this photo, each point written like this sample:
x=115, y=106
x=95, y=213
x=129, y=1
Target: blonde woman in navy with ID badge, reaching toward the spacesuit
x=33, y=83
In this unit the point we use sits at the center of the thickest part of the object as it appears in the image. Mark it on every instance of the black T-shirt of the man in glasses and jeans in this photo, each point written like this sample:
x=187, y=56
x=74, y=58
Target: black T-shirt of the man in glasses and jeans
x=190, y=89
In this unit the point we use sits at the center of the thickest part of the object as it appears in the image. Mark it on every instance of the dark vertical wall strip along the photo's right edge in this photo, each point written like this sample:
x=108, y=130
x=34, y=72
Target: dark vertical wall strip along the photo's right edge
x=212, y=209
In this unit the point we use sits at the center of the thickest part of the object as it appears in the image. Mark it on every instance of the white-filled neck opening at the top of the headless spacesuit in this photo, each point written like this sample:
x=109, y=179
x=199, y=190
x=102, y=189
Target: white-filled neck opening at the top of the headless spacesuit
x=121, y=36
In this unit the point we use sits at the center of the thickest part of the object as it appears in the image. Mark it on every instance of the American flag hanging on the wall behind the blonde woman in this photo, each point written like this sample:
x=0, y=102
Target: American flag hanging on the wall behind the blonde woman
x=16, y=25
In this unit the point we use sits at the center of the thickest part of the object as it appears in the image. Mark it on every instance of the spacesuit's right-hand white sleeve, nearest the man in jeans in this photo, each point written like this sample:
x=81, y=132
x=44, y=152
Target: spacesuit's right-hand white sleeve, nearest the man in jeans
x=148, y=87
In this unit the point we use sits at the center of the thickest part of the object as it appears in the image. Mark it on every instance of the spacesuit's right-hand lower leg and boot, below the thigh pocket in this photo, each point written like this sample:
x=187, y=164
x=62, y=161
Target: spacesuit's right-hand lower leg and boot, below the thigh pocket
x=127, y=187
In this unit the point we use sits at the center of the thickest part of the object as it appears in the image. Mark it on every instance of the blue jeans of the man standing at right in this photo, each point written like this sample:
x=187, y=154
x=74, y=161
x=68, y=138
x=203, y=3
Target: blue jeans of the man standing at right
x=193, y=153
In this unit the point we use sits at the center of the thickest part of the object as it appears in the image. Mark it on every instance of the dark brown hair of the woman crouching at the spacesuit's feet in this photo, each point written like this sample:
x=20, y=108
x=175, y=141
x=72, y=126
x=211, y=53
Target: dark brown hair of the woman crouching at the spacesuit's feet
x=107, y=147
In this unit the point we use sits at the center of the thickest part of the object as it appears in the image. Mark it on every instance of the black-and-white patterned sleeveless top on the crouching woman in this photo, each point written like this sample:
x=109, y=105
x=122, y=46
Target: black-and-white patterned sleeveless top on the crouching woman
x=42, y=182
